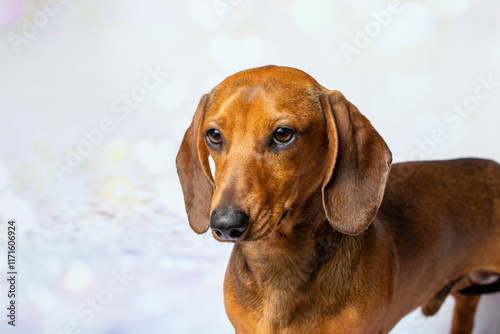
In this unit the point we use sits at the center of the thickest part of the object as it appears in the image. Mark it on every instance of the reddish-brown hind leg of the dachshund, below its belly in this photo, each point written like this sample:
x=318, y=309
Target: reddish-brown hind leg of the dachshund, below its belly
x=463, y=314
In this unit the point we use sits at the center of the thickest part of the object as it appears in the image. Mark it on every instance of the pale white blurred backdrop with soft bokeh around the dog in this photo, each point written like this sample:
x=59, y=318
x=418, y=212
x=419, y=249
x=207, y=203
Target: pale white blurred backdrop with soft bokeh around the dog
x=95, y=97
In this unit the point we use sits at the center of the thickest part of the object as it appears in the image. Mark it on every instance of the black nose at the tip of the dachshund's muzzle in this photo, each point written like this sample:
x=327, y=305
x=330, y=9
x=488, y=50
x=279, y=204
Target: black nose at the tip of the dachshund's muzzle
x=229, y=224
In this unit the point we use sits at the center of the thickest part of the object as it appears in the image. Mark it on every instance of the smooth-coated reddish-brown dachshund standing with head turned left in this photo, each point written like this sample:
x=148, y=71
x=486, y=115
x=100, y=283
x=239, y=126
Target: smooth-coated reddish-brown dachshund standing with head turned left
x=319, y=247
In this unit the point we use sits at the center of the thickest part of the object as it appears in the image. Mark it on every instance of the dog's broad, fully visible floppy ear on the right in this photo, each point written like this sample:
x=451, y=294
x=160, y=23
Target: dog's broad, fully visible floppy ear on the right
x=358, y=166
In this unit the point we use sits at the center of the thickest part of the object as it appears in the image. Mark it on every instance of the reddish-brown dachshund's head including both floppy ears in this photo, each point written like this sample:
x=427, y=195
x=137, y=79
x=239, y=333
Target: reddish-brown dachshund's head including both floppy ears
x=277, y=139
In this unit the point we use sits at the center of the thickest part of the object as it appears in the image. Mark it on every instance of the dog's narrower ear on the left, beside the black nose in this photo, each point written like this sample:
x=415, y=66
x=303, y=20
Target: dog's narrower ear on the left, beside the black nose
x=194, y=173
